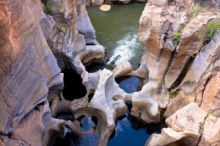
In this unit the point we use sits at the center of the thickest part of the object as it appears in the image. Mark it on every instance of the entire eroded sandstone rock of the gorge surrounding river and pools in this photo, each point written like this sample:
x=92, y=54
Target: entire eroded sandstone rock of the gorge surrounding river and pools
x=39, y=39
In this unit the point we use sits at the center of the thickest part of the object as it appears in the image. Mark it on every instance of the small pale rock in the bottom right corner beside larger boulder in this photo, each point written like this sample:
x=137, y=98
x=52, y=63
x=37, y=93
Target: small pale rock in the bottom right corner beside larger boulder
x=211, y=135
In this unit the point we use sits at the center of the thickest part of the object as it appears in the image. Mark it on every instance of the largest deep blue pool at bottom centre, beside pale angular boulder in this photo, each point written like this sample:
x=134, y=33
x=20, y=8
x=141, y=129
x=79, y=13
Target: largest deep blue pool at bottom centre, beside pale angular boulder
x=131, y=132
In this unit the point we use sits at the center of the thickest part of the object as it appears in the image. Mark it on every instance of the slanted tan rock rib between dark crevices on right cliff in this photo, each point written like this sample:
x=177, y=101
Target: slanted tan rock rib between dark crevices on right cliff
x=190, y=44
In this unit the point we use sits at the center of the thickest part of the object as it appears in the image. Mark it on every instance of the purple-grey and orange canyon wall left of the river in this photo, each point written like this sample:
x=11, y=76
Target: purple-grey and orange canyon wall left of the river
x=32, y=33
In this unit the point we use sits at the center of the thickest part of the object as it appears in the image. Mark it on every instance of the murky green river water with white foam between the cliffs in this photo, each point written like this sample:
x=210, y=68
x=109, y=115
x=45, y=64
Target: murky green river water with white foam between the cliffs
x=117, y=30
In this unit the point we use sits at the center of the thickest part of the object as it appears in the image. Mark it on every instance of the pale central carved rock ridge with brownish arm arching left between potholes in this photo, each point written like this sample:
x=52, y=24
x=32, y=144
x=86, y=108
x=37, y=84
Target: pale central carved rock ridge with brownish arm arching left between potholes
x=107, y=105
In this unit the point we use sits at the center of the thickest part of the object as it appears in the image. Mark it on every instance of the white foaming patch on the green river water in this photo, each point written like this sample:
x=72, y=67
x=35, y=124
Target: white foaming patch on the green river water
x=125, y=49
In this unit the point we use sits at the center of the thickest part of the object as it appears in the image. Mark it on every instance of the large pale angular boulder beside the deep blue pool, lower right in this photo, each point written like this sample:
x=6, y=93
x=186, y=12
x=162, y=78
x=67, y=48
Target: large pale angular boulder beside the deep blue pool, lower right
x=183, y=128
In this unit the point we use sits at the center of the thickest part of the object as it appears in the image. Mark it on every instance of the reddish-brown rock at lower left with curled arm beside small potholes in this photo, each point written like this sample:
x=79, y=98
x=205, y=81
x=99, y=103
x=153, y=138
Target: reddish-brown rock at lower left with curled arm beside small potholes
x=45, y=128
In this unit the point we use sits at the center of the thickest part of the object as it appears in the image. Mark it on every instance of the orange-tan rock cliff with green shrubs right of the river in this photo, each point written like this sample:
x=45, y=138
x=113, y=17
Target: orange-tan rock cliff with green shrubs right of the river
x=188, y=67
